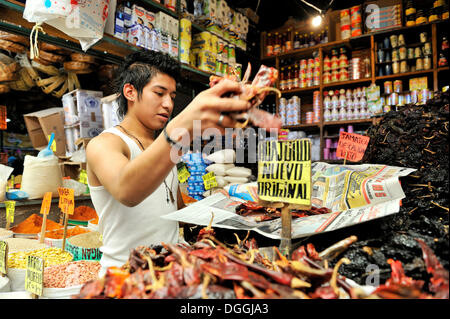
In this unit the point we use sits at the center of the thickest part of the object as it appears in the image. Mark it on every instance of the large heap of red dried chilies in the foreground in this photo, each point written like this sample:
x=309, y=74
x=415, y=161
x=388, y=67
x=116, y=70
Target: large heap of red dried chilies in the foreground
x=211, y=269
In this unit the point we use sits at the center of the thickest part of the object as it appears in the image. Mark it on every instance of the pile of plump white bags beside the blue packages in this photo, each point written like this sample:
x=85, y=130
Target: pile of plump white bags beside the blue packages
x=225, y=170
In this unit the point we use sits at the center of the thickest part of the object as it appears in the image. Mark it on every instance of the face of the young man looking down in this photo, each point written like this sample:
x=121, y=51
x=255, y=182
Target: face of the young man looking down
x=155, y=105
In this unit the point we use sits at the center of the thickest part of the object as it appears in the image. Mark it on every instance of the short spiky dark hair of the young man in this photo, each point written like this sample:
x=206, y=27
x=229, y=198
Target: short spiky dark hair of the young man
x=138, y=69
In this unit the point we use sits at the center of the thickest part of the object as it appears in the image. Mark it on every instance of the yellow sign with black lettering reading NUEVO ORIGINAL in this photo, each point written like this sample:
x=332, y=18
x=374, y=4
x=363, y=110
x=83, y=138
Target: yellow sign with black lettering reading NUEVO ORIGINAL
x=284, y=171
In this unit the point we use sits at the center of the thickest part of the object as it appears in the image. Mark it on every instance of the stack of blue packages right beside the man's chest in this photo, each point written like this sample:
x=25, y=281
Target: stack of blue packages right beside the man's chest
x=197, y=168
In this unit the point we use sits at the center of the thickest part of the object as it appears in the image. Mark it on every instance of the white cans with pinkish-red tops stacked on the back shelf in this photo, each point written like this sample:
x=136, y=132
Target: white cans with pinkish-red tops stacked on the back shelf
x=342, y=105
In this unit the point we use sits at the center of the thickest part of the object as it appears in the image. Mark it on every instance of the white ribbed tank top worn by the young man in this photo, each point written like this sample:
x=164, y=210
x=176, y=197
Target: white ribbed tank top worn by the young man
x=124, y=228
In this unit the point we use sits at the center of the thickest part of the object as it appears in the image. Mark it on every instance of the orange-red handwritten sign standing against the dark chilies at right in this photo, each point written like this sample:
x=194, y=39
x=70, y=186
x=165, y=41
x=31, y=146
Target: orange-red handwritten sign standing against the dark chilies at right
x=352, y=146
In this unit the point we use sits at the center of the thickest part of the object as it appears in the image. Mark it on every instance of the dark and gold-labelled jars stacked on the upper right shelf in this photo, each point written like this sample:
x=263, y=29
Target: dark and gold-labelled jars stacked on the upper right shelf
x=395, y=56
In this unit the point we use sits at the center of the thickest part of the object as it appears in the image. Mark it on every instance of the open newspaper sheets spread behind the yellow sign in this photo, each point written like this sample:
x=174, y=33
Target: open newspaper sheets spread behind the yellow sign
x=350, y=192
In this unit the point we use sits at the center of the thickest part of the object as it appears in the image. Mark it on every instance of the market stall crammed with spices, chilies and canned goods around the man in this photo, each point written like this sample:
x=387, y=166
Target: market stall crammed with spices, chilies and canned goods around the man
x=347, y=199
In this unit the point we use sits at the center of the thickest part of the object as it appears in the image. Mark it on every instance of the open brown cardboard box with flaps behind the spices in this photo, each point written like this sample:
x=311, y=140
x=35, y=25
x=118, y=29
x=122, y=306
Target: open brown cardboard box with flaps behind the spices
x=40, y=126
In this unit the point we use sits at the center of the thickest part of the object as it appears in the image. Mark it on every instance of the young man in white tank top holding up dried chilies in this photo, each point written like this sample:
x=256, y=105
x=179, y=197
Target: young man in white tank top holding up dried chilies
x=132, y=177
